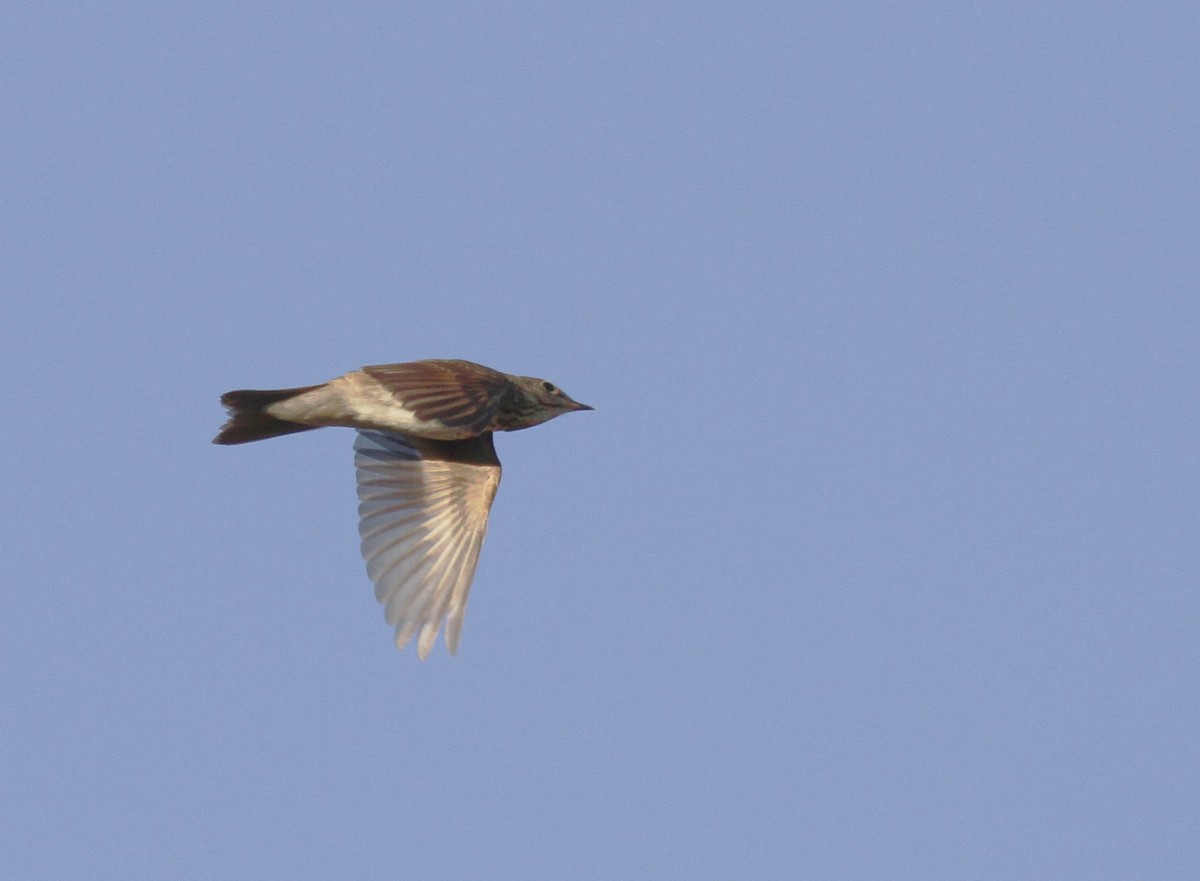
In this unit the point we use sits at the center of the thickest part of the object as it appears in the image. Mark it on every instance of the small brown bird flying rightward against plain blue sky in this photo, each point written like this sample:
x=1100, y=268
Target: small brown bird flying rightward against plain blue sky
x=427, y=471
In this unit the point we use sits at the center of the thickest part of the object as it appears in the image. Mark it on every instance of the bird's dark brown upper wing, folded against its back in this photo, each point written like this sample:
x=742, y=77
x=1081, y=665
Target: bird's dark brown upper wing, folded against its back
x=457, y=394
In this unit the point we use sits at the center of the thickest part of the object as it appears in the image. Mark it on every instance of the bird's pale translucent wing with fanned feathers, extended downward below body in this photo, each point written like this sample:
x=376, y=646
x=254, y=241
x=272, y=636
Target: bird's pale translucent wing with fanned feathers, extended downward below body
x=423, y=514
